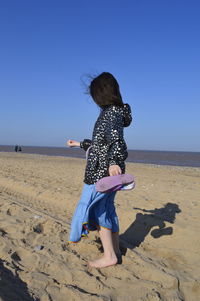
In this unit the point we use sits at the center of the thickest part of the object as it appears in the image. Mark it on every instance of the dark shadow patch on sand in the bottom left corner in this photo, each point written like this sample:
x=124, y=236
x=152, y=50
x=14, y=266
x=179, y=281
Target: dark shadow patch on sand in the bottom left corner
x=12, y=288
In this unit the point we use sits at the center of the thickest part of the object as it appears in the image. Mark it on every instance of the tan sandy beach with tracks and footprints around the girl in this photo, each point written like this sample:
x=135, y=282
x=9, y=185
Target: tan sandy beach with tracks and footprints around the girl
x=159, y=234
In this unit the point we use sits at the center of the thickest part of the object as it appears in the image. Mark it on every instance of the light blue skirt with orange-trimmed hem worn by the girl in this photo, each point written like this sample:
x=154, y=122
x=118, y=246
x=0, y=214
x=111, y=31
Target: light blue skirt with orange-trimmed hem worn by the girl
x=93, y=209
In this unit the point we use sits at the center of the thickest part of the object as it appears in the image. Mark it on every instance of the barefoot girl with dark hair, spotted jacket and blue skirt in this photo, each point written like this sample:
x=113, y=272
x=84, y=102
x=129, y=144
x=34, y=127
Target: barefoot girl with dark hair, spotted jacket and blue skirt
x=106, y=153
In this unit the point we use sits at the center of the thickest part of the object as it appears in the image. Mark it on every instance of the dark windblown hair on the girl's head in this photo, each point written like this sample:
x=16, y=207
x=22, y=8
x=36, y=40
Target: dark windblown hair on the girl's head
x=104, y=90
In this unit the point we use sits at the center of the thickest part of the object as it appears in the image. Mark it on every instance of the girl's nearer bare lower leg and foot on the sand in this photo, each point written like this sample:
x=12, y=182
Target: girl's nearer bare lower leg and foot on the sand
x=109, y=258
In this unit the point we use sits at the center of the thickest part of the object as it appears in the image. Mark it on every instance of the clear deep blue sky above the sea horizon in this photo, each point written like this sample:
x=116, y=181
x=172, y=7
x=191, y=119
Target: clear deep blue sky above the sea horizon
x=151, y=46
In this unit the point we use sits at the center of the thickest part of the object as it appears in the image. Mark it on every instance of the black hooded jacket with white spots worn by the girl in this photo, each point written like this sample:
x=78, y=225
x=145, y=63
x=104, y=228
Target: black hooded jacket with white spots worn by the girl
x=107, y=146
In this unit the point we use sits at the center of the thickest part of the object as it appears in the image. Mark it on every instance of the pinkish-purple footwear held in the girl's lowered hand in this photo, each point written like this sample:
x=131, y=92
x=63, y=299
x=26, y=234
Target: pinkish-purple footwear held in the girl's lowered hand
x=113, y=183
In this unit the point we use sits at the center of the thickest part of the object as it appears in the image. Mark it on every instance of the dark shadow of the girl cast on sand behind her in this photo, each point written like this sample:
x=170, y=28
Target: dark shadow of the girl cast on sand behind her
x=143, y=224
